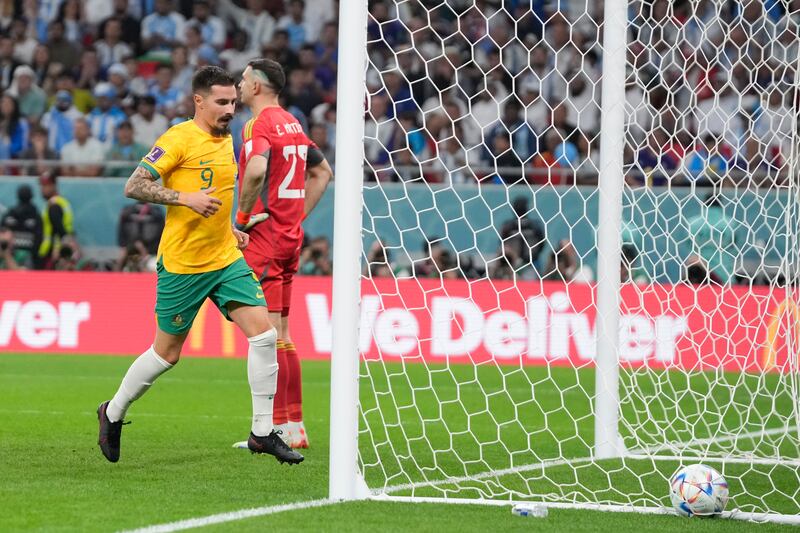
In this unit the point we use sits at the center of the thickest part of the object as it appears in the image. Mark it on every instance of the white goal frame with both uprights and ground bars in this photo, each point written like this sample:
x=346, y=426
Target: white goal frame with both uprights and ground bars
x=346, y=482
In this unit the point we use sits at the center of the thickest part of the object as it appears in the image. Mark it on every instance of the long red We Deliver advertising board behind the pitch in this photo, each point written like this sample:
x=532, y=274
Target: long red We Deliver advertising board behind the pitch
x=457, y=321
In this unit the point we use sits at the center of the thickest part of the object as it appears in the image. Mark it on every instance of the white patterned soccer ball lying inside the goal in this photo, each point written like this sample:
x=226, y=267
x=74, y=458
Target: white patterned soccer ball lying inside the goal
x=698, y=490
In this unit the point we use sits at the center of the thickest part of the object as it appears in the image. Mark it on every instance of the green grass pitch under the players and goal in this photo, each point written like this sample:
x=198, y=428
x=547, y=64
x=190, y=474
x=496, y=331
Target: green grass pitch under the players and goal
x=177, y=462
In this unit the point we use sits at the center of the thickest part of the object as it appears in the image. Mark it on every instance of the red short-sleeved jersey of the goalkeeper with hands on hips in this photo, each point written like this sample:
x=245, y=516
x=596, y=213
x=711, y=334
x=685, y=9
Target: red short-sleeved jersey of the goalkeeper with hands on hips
x=278, y=136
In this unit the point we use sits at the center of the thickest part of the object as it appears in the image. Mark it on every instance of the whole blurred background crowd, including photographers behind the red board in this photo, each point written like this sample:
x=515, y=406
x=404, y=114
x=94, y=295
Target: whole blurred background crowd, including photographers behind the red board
x=460, y=92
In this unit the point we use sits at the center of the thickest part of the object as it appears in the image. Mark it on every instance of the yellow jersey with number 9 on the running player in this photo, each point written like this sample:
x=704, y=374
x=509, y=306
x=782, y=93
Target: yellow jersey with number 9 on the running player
x=188, y=159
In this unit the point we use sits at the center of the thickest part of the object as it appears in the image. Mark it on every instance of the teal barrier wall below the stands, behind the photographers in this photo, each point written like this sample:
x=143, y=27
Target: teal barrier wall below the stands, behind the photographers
x=406, y=216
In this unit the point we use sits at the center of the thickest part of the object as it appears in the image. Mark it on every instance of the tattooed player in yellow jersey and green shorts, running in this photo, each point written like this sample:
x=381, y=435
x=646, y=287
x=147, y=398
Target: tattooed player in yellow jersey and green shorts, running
x=200, y=257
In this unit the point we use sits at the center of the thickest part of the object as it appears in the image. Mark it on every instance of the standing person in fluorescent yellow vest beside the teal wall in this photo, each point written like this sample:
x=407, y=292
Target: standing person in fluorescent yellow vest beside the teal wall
x=57, y=220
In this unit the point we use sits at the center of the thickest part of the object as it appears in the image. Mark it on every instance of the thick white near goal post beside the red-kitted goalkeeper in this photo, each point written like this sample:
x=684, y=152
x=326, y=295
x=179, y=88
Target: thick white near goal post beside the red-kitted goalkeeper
x=344, y=478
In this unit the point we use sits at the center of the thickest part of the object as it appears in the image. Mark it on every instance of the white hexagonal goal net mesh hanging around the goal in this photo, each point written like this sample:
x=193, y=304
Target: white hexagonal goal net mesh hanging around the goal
x=482, y=144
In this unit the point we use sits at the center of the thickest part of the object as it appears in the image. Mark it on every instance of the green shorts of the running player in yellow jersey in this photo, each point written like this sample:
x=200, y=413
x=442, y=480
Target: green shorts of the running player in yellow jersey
x=180, y=296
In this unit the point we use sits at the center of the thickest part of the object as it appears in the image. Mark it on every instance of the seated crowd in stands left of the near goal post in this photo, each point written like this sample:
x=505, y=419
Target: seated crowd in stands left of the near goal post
x=92, y=84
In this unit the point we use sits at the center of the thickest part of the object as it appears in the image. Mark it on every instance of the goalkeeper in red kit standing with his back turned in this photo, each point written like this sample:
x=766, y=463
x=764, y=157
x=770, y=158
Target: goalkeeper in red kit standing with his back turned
x=282, y=178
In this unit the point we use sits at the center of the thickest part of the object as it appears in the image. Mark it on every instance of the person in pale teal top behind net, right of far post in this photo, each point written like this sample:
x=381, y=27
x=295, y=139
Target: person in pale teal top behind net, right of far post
x=713, y=237
